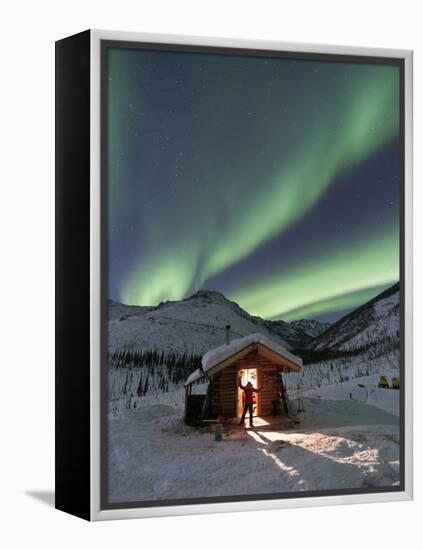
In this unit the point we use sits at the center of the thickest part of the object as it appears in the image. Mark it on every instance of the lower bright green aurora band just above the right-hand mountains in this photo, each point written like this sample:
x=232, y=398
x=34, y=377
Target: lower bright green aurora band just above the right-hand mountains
x=340, y=279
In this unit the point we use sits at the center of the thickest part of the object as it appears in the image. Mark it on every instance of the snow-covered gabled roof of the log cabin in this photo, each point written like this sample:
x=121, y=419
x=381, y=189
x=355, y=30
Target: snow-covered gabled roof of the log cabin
x=218, y=357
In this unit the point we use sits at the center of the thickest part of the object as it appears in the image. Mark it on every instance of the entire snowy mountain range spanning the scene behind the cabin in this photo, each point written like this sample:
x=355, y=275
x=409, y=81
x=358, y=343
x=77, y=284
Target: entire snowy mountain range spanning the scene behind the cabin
x=197, y=323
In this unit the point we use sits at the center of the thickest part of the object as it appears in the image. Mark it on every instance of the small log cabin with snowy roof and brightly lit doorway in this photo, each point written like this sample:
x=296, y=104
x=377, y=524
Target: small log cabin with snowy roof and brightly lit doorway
x=254, y=358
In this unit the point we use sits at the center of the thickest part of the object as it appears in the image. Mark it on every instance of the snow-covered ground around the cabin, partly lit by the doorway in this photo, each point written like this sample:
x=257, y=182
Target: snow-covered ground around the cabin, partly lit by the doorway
x=340, y=443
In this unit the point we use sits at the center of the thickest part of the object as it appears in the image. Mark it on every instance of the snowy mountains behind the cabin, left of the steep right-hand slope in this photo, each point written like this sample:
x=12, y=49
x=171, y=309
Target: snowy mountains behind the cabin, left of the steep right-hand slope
x=196, y=324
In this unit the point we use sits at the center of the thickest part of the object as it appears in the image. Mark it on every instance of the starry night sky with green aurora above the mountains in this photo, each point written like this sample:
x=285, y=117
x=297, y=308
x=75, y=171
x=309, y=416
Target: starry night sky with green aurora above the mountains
x=274, y=181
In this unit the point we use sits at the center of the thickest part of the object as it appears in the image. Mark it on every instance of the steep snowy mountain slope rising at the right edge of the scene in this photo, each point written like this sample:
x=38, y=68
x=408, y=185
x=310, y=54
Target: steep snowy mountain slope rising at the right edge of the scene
x=375, y=322
